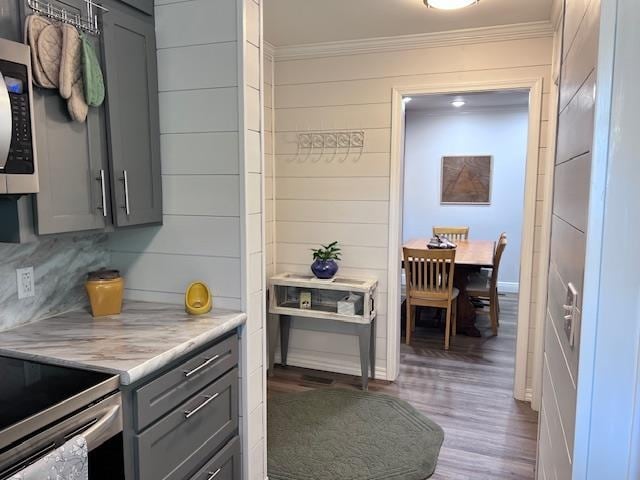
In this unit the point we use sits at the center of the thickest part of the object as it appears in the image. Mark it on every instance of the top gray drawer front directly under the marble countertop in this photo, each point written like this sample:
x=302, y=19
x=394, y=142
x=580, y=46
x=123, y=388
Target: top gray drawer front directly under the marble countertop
x=163, y=394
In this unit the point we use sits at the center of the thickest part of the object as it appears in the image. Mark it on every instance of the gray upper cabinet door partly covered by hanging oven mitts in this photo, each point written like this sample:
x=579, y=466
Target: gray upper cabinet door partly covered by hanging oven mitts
x=71, y=158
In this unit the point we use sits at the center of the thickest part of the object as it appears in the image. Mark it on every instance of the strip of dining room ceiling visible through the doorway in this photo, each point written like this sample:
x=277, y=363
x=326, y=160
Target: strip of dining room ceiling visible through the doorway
x=474, y=100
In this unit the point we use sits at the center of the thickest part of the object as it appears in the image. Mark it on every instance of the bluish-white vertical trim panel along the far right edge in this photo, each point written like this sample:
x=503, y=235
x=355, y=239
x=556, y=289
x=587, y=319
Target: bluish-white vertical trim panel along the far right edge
x=607, y=436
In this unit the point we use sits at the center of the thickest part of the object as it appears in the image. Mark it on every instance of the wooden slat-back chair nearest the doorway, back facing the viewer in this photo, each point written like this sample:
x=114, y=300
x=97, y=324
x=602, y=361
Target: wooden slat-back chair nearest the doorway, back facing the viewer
x=429, y=277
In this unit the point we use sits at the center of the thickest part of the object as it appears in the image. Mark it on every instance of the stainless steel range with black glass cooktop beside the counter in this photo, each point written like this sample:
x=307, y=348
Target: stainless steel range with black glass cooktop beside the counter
x=42, y=406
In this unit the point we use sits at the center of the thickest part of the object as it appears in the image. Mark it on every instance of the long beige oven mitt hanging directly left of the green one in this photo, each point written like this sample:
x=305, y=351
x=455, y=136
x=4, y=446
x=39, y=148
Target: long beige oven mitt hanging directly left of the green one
x=71, y=83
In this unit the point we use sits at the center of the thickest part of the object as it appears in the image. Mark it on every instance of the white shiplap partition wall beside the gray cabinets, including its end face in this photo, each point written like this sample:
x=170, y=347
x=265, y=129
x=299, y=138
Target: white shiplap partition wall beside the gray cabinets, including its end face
x=210, y=82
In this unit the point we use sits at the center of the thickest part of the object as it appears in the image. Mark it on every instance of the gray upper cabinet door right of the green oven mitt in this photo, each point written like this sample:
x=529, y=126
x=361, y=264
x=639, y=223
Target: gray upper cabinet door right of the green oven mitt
x=132, y=115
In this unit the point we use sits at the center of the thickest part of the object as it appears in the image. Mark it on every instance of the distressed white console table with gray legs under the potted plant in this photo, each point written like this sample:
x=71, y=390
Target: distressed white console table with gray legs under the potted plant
x=284, y=301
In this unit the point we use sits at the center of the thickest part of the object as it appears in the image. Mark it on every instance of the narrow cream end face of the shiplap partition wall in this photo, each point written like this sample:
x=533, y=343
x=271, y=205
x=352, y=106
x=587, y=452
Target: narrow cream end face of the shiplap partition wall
x=255, y=443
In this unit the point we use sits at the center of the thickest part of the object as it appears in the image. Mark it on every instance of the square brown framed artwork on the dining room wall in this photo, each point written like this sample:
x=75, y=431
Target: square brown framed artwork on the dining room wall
x=466, y=180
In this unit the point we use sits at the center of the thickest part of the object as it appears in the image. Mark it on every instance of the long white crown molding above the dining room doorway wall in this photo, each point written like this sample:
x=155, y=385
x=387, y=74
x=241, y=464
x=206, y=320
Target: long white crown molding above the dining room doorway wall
x=468, y=36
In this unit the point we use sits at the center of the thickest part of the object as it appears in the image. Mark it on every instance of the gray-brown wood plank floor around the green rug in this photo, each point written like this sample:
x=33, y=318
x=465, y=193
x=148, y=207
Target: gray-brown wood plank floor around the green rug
x=467, y=390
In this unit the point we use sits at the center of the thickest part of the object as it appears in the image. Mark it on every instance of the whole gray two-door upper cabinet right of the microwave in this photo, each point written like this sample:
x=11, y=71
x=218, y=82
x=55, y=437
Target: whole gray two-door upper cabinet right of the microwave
x=106, y=171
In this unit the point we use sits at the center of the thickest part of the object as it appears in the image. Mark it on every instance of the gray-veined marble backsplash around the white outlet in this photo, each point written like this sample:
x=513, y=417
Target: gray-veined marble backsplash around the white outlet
x=60, y=265
